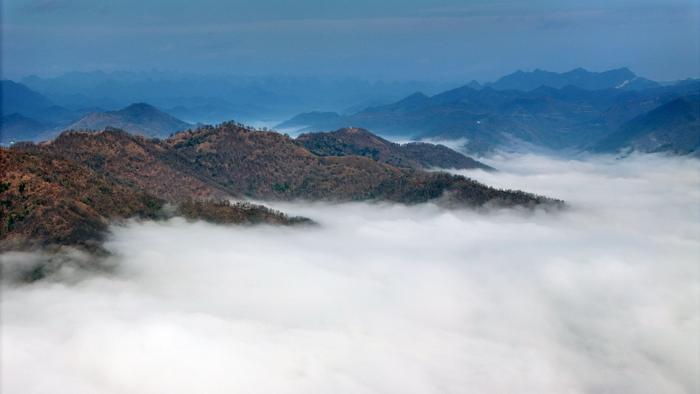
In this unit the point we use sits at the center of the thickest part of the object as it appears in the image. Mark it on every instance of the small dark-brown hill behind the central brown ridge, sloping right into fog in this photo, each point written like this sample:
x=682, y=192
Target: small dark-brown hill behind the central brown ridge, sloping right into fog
x=360, y=142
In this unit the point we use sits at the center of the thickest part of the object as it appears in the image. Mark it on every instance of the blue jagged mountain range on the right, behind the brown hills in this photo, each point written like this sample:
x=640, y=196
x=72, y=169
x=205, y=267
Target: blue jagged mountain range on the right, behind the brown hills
x=556, y=117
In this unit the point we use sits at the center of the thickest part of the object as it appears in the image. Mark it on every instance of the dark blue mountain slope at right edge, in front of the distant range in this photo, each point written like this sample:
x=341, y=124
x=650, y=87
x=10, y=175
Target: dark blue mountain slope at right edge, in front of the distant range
x=672, y=127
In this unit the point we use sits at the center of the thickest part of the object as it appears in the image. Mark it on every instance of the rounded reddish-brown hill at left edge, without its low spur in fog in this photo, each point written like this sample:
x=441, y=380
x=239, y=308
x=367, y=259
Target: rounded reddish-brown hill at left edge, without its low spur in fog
x=49, y=200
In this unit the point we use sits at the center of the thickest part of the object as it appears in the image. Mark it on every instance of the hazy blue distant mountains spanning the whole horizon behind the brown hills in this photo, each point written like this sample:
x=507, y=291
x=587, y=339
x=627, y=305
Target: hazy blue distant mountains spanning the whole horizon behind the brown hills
x=572, y=111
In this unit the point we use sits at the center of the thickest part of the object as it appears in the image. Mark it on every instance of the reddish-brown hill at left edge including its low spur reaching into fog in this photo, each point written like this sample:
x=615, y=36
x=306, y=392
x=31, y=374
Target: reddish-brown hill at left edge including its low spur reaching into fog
x=49, y=200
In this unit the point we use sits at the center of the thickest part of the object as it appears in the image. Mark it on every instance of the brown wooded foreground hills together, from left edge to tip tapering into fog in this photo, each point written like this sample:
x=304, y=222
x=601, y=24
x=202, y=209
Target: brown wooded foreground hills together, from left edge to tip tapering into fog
x=65, y=191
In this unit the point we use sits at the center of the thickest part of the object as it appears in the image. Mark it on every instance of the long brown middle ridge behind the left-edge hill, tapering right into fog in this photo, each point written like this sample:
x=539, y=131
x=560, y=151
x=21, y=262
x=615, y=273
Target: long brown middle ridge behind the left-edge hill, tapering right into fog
x=241, y=162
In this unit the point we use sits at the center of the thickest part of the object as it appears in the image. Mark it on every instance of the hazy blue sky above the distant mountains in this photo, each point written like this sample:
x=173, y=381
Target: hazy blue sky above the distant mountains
x=389, y=39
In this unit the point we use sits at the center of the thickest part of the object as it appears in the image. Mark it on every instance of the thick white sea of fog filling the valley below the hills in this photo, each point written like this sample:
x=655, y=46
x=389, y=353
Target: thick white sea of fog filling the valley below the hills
x=604, y=297
